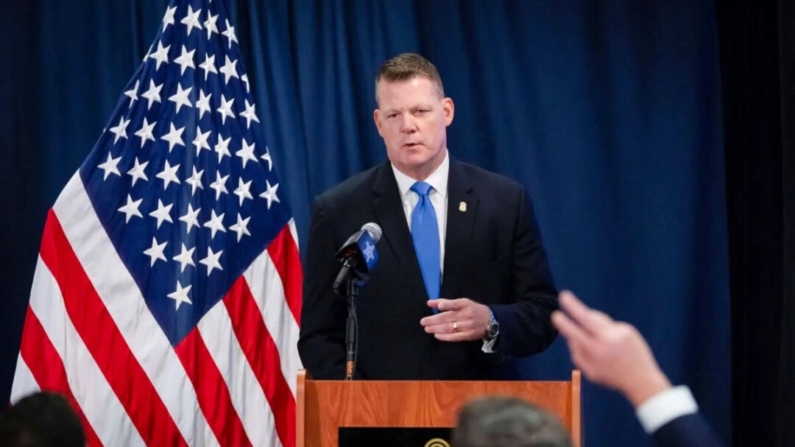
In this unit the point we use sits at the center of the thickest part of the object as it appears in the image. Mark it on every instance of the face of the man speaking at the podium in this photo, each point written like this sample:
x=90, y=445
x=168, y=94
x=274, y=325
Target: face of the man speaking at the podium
x=412, y=118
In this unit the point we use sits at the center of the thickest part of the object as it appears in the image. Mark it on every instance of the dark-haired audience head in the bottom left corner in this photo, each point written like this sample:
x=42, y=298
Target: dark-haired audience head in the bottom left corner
x=42, y=419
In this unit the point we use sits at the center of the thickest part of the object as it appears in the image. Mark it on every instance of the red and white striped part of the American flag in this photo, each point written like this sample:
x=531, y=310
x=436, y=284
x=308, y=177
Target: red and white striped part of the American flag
x=89, y=334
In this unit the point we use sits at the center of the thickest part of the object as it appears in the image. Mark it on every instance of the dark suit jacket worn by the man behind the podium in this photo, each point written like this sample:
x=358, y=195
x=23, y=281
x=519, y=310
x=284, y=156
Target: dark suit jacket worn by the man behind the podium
x=493, y=255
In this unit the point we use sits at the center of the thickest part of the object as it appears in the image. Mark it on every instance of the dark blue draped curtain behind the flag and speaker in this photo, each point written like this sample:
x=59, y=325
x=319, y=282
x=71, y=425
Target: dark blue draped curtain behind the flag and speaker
x=607, y=111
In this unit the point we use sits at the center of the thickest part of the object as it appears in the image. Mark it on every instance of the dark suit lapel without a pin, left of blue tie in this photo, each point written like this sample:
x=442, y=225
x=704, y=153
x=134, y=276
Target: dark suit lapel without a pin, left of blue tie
x=388, y=208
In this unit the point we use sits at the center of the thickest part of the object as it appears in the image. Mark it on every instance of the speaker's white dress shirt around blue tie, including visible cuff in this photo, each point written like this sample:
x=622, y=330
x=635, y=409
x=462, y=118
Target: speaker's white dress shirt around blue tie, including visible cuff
x=438, y=196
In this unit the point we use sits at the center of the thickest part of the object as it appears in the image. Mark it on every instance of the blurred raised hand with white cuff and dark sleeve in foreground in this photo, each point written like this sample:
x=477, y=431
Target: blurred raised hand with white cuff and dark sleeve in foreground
x=615, y=355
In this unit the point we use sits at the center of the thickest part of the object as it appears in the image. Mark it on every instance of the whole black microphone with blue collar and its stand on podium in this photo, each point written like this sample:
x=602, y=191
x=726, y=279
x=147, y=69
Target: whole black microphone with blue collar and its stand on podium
x=358, y=257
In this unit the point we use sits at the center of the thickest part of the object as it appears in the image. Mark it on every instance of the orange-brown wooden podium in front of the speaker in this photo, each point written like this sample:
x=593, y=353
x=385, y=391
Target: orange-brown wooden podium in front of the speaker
x=325, y=406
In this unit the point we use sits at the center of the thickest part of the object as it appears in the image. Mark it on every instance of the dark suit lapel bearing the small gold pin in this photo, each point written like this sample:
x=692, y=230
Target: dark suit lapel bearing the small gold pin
x=462, y=205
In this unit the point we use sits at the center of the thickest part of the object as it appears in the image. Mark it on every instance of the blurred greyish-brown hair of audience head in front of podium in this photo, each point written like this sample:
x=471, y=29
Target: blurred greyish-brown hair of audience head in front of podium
x=507, y=422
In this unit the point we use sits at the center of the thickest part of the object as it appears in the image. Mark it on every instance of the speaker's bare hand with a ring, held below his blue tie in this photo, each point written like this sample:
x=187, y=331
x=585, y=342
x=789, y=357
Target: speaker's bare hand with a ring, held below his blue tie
x=458, y=320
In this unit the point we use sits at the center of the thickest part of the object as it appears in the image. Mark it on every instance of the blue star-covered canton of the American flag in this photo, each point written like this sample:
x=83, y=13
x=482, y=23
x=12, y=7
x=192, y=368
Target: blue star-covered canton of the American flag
x=177, y=245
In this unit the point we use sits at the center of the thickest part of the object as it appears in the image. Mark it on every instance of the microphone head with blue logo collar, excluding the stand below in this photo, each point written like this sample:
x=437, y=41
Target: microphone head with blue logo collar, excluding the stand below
x=358, y=256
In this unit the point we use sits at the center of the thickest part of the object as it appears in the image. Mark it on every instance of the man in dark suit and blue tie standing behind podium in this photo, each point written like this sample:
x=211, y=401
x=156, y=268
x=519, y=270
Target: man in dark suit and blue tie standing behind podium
x=462, y=281
